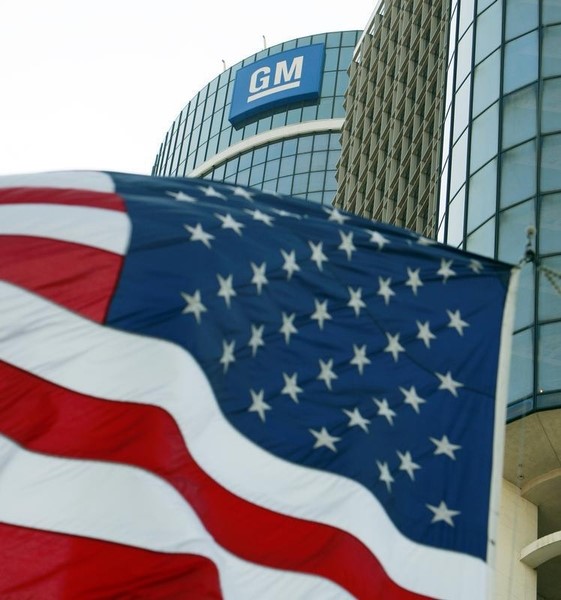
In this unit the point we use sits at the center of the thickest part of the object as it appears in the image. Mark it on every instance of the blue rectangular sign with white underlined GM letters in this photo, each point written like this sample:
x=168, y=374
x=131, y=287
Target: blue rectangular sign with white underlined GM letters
x=279, y=79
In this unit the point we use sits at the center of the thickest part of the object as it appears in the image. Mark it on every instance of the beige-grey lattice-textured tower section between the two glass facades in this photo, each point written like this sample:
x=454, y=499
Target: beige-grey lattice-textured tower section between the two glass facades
x=391, y=137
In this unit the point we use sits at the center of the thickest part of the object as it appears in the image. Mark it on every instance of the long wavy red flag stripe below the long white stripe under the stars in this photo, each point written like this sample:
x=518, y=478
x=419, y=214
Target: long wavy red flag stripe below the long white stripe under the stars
x=49, y=419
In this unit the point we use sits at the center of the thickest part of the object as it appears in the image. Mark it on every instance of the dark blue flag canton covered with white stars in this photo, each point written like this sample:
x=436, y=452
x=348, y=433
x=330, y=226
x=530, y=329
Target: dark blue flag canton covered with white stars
x=330, y=341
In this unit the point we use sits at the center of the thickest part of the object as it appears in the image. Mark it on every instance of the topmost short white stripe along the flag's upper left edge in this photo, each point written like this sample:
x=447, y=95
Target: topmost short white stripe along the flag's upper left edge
x=93, y=181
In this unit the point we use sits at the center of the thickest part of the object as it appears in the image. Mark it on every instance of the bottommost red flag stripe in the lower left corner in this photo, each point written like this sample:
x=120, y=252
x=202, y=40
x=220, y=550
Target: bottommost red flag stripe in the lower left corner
x=49, y=566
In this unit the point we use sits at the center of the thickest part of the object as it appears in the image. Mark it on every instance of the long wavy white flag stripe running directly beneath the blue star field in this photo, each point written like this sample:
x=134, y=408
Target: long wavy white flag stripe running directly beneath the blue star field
x=95, y=360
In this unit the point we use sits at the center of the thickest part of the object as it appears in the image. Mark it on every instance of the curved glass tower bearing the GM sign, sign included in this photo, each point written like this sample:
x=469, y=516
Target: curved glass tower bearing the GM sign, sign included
x=283, y=135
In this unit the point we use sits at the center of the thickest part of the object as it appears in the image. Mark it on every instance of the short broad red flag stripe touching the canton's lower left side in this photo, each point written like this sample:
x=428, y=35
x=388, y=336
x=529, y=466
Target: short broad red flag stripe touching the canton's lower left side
x=78, y=277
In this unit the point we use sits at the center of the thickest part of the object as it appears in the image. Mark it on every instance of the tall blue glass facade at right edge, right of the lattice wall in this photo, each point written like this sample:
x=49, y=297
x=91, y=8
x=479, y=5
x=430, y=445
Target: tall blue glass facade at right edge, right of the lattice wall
x=501, y=168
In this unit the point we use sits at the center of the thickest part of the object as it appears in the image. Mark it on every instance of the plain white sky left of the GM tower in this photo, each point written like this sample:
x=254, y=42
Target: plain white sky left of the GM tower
x=95, y=84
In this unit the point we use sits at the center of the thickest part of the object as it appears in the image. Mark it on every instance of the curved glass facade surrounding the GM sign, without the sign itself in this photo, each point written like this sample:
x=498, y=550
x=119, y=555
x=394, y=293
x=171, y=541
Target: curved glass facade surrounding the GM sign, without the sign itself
x=300, y=162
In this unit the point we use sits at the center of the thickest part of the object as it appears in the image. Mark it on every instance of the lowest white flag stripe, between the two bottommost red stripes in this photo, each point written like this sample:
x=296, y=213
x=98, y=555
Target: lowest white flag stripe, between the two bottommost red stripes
x=130, y=506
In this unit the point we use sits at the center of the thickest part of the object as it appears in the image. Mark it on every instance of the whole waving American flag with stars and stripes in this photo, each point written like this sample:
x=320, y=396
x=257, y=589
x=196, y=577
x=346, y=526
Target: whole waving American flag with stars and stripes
x=208, y=391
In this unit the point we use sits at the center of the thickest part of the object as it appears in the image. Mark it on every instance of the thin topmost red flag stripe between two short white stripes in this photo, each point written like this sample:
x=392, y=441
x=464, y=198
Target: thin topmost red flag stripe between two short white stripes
x=23, y=195
